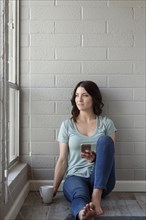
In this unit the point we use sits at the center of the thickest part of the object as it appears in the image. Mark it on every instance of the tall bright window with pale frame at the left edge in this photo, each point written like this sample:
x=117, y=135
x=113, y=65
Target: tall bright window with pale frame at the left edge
x=13, y=80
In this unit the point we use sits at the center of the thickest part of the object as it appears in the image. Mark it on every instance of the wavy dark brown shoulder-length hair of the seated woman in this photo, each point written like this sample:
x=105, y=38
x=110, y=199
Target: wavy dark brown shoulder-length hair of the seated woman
x=93, y=90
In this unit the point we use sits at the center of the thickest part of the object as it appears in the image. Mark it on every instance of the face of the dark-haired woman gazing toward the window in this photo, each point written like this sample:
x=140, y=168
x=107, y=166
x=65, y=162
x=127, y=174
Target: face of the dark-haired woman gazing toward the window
x=83, y=100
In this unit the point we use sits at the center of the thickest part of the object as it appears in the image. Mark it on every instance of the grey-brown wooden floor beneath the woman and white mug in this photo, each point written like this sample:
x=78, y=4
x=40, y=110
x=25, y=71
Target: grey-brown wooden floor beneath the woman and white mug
x=116, y=206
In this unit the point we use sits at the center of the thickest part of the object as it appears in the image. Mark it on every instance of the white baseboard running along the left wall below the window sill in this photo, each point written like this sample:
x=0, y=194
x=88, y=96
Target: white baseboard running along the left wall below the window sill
x=12, y=214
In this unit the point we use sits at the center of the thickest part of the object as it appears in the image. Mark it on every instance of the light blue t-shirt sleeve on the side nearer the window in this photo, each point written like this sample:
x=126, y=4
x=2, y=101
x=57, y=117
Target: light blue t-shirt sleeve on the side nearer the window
x=63, y=132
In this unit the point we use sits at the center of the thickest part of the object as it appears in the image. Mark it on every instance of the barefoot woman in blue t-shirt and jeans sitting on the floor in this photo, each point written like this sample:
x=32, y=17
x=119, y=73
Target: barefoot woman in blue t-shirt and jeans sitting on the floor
x=89, y=175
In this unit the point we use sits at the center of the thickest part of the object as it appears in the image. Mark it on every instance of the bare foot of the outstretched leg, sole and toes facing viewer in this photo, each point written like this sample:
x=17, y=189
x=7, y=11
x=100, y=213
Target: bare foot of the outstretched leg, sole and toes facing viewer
x=88, y=212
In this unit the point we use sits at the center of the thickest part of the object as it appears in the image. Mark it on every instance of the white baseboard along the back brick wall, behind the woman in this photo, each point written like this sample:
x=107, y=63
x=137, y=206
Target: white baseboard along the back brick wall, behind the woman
x=121, y=186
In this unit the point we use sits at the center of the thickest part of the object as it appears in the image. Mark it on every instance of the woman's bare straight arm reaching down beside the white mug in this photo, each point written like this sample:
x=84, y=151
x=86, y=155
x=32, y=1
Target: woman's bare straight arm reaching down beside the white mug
x=61, y=166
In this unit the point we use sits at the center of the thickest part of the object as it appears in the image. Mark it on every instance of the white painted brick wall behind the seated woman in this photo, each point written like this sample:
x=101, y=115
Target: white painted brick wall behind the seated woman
x=63, y=42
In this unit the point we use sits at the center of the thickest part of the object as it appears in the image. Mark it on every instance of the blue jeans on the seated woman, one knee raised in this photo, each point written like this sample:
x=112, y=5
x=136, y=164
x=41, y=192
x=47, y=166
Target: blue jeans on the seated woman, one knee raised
x=78, y=190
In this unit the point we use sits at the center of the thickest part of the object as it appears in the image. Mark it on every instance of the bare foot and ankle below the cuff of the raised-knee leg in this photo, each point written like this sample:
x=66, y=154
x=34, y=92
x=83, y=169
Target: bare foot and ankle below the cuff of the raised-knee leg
x=96, y=199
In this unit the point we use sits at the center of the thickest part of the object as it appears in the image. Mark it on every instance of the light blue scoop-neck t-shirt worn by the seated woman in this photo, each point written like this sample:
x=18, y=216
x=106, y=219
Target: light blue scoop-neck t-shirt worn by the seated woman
x=69, y=134
